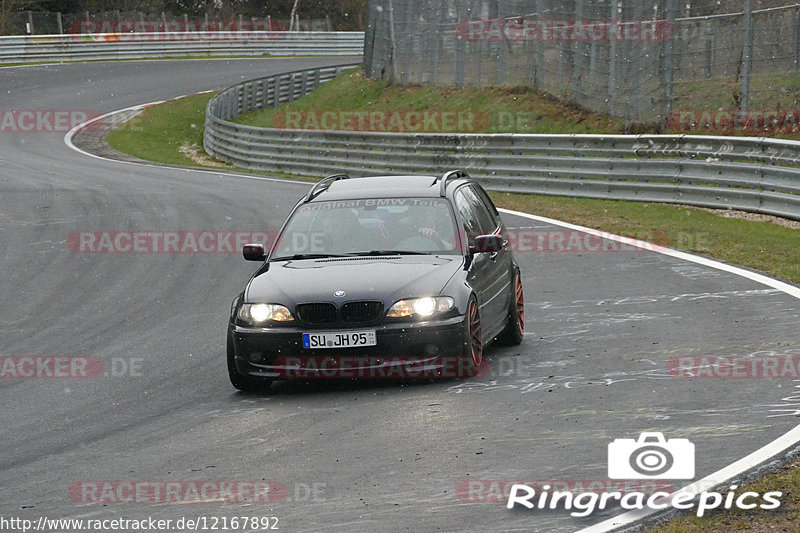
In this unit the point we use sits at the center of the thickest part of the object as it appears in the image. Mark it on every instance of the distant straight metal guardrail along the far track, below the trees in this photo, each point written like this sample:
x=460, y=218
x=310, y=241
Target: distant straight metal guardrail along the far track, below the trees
x=23, y=49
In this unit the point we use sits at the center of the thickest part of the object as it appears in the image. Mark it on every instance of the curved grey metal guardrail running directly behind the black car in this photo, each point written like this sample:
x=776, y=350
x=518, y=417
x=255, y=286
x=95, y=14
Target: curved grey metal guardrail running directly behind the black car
x=752, y=174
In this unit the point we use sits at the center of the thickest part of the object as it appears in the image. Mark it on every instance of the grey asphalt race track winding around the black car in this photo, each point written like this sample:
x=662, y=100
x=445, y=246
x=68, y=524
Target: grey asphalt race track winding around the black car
x=385, y=456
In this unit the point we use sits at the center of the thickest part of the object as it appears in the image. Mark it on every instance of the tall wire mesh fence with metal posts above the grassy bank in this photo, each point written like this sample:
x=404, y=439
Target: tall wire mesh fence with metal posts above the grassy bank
x=639, y=60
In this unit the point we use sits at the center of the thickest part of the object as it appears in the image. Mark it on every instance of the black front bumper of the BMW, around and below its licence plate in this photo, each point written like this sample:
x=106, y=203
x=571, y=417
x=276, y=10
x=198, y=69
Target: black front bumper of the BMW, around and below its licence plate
x=404, y=350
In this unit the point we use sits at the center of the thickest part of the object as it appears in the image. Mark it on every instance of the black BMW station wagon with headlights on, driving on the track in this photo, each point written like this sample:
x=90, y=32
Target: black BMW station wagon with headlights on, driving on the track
x=389, y=276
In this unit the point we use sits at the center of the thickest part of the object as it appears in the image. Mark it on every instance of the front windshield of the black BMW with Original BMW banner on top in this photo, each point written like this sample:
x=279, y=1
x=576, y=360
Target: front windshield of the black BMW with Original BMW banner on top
x=393, y=226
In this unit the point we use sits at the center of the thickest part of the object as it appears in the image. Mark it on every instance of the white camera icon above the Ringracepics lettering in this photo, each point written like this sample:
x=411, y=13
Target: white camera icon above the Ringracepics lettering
x=651, y=457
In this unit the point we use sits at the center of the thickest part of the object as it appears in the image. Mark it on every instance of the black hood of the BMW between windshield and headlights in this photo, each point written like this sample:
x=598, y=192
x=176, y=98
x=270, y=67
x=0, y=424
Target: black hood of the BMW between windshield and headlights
x=361, y=278
